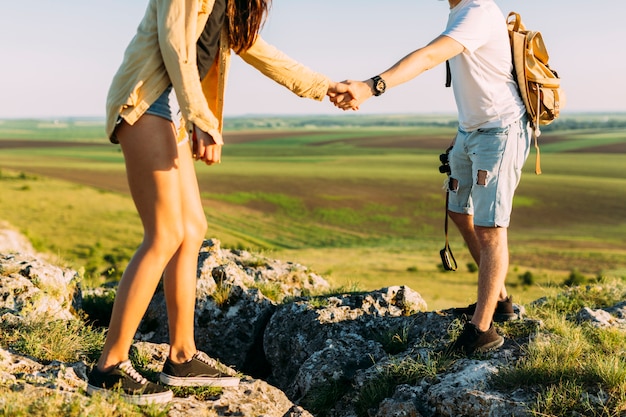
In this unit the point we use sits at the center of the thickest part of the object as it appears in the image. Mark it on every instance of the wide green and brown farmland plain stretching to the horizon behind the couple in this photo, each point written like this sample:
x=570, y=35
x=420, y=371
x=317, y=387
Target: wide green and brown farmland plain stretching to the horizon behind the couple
x=358, y=199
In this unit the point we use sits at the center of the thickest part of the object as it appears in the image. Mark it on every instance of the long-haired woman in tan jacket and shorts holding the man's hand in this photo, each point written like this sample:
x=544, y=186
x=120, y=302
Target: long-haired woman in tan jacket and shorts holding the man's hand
x=184, y=46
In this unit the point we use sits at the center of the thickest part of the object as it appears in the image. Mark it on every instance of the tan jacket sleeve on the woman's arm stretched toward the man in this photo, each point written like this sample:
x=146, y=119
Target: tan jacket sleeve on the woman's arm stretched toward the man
x=291, y=74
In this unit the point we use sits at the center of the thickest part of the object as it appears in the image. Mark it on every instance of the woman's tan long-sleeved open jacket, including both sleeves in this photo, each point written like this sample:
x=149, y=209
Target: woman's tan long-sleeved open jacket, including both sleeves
x=163, y=52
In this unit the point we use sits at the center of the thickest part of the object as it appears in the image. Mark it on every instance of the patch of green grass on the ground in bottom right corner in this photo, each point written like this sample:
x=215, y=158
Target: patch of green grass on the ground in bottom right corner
x=565, y=360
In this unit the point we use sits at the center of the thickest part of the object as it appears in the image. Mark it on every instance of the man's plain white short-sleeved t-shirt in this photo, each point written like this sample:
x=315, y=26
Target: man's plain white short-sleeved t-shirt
x=485, y=91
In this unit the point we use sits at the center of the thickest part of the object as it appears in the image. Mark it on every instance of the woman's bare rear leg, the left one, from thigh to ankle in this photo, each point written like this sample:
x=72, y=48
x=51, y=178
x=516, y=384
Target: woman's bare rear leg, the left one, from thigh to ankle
x=153, y=170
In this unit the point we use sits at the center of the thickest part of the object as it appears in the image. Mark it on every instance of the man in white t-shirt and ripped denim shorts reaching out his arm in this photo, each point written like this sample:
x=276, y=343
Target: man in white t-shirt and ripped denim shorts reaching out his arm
x=490, y=148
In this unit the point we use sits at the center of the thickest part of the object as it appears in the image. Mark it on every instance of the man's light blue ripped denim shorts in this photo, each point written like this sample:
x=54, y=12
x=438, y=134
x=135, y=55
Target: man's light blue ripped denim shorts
x=486, y=166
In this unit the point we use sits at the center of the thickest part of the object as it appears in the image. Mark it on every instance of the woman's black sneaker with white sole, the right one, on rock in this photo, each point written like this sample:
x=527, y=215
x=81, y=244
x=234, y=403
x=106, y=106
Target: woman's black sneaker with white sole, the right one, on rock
x=200, y=370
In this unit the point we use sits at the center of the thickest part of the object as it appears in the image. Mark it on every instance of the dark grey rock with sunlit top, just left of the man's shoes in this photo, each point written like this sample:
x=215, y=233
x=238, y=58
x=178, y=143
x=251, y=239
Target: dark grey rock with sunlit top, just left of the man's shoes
x=298, y=330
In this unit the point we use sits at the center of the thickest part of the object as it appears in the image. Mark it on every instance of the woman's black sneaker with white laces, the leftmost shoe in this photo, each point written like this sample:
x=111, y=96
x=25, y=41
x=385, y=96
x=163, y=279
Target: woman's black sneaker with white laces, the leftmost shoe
x=129, y=384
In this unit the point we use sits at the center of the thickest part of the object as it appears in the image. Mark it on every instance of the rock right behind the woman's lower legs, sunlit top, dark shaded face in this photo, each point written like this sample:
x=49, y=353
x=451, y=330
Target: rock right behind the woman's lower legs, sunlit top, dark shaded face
x=231, y=309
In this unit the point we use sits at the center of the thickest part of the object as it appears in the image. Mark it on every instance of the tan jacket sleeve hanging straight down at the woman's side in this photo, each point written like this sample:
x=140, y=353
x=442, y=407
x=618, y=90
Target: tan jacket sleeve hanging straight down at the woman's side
x=177, y=27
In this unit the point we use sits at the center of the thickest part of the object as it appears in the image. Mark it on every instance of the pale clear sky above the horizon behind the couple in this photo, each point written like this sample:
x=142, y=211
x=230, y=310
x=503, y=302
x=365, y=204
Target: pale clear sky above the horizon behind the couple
x=57, y=57
